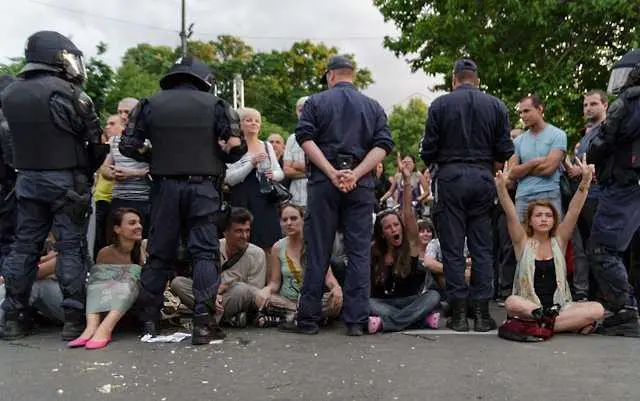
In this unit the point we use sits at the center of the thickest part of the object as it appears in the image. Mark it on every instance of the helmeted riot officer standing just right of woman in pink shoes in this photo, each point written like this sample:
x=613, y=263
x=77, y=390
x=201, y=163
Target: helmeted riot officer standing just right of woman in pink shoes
x=193, y=133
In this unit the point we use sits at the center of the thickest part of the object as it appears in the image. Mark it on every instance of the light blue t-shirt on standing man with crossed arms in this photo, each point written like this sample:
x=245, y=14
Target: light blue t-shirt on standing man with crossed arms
x=528, y=146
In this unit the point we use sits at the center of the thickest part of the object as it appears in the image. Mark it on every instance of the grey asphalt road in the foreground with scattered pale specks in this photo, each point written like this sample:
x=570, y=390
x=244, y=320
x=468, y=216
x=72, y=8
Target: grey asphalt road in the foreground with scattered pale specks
x=269, y=365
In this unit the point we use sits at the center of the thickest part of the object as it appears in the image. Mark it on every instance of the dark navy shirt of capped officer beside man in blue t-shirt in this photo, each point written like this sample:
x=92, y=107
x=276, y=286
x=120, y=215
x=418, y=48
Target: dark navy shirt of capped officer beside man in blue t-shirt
x=467, y=126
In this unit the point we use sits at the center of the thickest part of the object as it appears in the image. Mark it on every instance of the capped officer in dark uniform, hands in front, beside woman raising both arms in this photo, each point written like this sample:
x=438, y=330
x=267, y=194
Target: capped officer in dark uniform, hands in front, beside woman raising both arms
x=466, y=132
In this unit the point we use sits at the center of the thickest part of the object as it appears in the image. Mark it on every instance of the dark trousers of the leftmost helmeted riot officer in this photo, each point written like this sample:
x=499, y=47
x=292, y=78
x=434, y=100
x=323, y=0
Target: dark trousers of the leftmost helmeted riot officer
x=45, y=203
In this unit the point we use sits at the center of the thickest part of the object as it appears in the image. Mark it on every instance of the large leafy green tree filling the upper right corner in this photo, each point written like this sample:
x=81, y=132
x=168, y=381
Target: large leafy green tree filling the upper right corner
x=556, y=49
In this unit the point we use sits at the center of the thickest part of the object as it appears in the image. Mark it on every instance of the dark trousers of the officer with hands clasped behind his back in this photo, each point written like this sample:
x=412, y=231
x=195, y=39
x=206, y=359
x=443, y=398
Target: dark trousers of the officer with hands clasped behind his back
x=326, y=208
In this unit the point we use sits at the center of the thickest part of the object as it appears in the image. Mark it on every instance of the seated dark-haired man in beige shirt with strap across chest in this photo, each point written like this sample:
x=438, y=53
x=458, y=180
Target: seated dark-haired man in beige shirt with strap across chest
x=243, y=271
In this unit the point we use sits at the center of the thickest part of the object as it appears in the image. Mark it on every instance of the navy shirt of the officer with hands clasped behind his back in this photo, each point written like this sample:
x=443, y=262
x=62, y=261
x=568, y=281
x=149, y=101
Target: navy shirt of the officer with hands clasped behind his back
x=341, y=120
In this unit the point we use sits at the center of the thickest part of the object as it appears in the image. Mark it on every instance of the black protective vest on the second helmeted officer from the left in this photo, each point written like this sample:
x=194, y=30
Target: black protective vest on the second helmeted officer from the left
x=181, y=132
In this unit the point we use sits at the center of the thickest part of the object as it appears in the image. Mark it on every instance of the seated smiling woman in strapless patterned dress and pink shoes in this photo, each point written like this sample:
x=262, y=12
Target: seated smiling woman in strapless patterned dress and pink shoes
x=112, y=287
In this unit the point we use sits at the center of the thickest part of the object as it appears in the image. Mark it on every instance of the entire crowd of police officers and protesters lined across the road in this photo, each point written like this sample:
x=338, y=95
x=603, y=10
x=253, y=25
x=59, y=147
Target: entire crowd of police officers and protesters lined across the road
x=178, y=201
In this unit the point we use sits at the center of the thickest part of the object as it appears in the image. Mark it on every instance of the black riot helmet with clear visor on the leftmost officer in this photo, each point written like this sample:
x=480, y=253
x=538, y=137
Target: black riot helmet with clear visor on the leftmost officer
x=51, y=51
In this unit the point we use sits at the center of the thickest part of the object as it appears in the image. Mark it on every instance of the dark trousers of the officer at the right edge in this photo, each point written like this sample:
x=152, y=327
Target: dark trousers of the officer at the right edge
x=615, y=223
